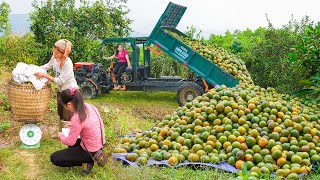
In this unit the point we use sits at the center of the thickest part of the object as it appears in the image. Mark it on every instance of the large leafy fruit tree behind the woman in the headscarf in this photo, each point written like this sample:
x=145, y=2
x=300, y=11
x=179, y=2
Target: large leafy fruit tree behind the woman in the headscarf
x=84, y=25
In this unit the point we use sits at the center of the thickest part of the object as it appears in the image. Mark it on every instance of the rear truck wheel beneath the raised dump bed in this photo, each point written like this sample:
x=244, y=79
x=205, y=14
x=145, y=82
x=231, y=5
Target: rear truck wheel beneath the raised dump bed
x=187, y=92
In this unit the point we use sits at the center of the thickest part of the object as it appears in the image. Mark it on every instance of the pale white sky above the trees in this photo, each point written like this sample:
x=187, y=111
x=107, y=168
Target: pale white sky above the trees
x=210, y=16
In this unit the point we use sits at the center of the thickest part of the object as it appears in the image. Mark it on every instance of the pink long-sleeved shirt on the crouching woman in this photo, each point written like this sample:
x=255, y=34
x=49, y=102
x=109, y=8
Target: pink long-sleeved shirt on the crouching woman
x=89, y=130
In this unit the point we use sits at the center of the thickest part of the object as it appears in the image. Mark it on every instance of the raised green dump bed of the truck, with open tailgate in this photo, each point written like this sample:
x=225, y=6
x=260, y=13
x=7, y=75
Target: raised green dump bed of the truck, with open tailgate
x=184, y=54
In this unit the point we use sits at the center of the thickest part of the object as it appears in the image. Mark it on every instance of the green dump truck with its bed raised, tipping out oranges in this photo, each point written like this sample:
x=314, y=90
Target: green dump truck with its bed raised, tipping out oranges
x=93, y=79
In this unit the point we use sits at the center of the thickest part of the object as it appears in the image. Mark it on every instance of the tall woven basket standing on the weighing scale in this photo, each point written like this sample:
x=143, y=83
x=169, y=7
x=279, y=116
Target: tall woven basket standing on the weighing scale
x=27, y=103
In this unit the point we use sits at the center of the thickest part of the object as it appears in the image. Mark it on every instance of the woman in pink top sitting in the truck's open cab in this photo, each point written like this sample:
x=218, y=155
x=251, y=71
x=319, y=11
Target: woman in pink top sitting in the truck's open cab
x=123, y=63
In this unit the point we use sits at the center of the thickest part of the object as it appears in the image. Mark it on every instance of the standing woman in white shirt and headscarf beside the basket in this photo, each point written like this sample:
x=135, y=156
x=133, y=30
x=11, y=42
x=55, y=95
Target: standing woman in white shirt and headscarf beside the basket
x=62, y=67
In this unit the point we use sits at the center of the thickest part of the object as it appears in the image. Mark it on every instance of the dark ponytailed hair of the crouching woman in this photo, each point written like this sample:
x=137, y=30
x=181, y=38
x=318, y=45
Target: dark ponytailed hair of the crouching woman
x=77, y=101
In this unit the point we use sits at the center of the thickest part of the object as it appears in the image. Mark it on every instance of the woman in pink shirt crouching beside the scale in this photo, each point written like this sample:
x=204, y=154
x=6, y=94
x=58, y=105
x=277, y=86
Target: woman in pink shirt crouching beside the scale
x=86, y=123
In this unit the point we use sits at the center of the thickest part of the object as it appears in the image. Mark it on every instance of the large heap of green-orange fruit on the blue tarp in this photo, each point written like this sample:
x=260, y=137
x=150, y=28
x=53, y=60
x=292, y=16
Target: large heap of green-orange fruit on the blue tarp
x=266, y=131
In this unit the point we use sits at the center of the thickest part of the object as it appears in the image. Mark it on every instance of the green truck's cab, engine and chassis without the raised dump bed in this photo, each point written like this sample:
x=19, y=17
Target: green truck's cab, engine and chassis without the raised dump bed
x=94, y=79
